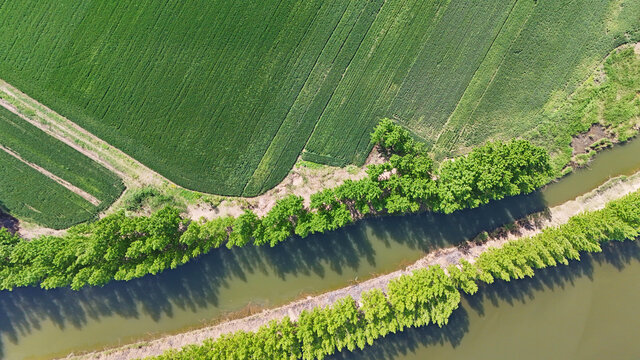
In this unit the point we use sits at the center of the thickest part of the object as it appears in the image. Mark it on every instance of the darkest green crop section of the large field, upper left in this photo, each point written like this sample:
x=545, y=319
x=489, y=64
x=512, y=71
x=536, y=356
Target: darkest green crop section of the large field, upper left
x=201, y=82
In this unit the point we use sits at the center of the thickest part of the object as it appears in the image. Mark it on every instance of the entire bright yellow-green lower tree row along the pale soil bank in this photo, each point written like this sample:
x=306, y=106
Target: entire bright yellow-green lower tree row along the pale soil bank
x=426, y=296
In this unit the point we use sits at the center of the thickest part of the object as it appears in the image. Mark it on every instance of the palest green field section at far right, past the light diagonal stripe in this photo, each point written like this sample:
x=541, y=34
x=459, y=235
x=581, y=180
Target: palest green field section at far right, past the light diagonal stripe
x=536, y=65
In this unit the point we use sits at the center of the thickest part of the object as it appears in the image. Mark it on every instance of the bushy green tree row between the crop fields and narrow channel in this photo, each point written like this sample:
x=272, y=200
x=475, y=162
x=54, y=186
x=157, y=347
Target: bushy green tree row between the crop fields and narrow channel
x=122, y=247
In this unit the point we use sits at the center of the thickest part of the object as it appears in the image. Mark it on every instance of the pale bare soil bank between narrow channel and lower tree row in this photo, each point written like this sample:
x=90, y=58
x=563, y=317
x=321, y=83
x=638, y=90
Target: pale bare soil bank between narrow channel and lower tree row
x=595, y=200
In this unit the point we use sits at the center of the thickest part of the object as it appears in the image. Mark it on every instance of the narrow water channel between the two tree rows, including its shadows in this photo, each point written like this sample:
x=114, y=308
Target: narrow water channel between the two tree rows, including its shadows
x=41, y=324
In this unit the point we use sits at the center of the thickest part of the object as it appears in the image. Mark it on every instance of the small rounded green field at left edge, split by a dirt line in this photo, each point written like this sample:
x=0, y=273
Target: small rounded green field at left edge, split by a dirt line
x=30, y=195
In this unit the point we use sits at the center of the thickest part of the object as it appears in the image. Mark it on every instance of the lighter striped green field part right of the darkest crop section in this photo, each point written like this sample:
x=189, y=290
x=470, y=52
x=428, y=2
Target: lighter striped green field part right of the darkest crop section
x=471, y=71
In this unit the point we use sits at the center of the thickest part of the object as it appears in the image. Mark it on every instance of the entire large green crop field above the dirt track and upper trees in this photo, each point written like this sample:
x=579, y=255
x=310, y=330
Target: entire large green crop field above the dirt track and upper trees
x=223, y=96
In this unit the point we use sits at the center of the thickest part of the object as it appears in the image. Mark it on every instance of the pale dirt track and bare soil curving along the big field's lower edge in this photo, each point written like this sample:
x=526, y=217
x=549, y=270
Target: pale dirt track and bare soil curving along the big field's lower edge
x=146, y=190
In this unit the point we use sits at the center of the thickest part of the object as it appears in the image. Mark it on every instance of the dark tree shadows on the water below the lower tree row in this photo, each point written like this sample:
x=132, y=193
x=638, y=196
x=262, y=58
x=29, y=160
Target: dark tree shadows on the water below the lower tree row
x=397, y=346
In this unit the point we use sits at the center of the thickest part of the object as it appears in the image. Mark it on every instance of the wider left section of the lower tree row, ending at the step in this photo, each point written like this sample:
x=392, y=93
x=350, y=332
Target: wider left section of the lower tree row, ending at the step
x=427, y=296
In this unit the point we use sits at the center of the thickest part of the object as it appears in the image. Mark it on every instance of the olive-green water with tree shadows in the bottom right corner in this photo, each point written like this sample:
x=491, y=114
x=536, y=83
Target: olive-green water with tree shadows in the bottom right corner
x=515, y=319
